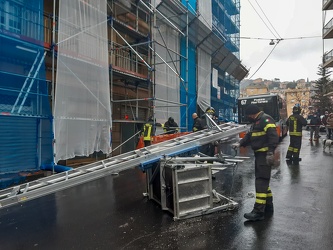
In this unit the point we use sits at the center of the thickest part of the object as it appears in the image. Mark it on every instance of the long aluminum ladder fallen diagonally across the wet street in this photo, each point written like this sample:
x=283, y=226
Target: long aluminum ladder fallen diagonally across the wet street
x=113, y=165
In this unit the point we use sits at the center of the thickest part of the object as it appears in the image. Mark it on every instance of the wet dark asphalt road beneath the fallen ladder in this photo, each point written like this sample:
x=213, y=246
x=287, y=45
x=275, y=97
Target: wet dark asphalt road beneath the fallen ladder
x=111, y=212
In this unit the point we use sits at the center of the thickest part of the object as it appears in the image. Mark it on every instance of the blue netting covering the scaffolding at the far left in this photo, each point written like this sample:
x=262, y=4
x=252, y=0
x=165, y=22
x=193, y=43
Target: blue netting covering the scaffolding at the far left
x=25, y=113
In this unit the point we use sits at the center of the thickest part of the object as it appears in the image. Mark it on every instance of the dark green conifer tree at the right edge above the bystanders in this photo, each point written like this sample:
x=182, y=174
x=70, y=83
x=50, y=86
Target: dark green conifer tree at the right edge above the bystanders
x=322, y=86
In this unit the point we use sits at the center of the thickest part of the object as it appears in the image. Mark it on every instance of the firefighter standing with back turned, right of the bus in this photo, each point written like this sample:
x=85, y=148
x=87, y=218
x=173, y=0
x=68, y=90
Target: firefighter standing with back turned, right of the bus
x=295, y=124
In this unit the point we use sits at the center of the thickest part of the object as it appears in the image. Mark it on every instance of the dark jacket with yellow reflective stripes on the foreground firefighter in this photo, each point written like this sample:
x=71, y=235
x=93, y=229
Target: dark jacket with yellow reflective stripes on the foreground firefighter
x=262, y=136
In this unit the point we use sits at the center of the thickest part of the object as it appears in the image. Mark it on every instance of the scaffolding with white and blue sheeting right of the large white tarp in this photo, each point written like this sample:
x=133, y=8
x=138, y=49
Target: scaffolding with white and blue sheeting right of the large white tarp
x=171, y=71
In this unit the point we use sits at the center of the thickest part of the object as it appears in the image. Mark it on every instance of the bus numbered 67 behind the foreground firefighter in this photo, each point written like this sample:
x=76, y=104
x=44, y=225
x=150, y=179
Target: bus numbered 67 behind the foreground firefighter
x=271, y=104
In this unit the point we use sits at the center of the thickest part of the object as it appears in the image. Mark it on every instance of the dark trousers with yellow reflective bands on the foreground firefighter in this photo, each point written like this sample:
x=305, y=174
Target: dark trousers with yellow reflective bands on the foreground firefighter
x=262, y=177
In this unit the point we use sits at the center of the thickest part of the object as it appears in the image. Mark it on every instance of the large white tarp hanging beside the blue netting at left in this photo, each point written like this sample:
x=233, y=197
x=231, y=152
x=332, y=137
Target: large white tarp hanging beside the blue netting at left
x=82, y=113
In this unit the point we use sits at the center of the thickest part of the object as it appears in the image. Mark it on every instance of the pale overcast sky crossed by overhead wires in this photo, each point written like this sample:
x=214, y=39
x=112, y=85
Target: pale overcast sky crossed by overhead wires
x=292, y=59
